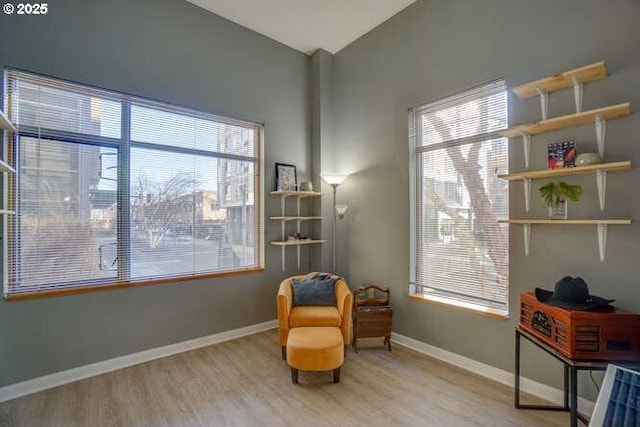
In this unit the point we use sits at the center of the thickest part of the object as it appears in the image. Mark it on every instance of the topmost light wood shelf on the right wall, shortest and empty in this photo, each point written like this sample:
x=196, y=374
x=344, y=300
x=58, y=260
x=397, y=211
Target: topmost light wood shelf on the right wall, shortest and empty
x=561, y=81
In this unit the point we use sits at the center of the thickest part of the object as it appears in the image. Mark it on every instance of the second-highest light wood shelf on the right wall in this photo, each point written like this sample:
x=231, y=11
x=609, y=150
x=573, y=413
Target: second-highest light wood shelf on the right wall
x=610, y=112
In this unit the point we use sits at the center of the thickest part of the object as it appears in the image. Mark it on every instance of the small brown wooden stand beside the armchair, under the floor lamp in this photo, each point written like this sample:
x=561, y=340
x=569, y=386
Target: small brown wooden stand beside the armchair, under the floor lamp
x=372, y=314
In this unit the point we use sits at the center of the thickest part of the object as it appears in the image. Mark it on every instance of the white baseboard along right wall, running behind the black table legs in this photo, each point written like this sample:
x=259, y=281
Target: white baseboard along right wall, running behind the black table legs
x=543, y=391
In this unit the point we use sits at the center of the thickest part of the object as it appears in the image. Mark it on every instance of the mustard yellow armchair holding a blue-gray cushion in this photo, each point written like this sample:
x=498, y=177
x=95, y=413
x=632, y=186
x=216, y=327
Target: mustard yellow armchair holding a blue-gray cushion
x=312, y=315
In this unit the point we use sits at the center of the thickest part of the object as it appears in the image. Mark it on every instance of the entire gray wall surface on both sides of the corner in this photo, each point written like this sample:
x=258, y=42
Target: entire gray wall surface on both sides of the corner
x=173, y=51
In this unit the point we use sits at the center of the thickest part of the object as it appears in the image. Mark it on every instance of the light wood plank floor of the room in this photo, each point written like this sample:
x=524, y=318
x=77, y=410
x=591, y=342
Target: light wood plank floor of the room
x=245, y=383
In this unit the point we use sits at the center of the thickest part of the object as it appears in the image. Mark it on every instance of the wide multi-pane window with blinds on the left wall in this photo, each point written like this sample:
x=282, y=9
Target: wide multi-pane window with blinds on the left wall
x=114, y=190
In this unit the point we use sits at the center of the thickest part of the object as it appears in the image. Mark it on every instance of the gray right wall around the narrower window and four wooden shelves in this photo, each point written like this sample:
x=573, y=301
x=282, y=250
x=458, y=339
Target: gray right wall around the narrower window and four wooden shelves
x=436, y=48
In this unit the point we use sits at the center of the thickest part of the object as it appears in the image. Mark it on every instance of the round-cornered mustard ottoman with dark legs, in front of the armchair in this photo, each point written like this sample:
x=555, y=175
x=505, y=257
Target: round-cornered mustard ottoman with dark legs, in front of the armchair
x=316, y=348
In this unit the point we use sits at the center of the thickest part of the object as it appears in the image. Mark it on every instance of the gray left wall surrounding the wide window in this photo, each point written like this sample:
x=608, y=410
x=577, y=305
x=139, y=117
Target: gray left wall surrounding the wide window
x=176, y=52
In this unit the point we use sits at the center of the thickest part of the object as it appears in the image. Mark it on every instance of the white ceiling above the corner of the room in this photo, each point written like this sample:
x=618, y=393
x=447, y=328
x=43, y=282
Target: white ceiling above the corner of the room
x=307, y=25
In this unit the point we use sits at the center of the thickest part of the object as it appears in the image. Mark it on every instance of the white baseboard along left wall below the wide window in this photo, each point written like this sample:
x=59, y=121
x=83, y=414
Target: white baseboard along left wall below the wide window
x=65, y=377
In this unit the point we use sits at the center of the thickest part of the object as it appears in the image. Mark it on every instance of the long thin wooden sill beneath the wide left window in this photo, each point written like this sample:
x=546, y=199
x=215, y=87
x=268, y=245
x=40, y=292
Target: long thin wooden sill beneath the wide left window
x=123, y=285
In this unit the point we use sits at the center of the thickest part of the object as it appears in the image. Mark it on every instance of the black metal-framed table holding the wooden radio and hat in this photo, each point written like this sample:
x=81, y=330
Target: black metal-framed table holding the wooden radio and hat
x=570, y=383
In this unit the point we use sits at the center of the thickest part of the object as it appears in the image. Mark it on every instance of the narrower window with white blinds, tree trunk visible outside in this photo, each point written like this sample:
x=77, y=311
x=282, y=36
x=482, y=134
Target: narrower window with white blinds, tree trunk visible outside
x=459, y=251
